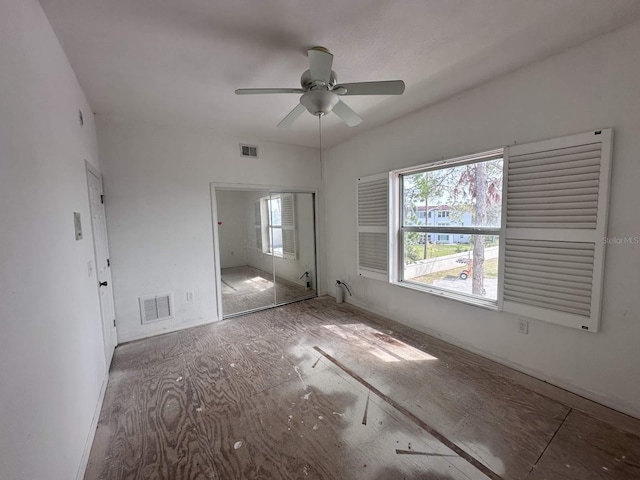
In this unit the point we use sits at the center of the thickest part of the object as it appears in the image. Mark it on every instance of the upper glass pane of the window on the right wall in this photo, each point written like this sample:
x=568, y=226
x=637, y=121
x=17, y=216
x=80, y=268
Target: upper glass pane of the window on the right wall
x=461, y=196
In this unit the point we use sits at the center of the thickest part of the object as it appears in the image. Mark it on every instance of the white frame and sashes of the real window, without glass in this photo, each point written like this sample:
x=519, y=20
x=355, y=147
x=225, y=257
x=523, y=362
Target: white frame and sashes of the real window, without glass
x=396, y=210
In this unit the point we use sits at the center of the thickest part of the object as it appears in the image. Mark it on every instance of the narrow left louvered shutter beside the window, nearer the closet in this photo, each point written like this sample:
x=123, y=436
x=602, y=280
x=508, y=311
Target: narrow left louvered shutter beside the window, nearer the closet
x=373, y=226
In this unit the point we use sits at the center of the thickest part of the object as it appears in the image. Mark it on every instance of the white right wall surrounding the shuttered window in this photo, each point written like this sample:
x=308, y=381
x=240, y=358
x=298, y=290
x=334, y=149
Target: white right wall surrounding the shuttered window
x=593, y=86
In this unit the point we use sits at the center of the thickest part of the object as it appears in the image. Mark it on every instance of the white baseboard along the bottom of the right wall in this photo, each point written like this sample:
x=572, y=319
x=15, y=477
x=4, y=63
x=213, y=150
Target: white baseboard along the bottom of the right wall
x=557, y=382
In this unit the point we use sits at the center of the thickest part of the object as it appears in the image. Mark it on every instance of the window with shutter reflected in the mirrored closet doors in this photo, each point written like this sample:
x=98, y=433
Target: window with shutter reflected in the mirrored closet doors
x=277, y=225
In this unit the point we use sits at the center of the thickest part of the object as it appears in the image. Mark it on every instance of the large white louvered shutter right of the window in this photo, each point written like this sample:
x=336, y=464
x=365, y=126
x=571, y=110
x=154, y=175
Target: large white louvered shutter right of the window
x=555, y=222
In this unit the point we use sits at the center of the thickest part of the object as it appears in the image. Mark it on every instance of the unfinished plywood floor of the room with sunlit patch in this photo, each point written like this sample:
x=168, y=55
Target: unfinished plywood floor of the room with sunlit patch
x=323, y=391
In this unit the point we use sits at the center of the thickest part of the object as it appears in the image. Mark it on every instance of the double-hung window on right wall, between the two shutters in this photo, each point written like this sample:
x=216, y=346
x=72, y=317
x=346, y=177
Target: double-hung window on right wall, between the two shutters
x=466, y=198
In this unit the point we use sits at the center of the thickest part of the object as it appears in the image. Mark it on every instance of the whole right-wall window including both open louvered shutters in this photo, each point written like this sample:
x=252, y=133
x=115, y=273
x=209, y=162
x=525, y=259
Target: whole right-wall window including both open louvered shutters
x=520, y=229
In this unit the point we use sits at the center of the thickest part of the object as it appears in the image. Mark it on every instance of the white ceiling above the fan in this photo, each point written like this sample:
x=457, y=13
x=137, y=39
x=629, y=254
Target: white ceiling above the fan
x=179, y=61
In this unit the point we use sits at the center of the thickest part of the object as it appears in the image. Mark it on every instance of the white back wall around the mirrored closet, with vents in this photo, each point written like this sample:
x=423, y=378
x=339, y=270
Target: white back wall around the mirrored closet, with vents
x=158, y=205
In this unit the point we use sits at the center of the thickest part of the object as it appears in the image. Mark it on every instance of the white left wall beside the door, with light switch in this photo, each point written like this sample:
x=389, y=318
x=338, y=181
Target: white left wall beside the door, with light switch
x=52, y=361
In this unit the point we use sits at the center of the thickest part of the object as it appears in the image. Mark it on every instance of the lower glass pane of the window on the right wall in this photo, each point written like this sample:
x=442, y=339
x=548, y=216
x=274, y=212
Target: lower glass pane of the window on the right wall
x=451, y=261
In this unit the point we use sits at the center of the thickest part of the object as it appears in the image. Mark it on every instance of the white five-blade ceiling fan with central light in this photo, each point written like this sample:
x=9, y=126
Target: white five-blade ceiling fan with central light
x=321, y=92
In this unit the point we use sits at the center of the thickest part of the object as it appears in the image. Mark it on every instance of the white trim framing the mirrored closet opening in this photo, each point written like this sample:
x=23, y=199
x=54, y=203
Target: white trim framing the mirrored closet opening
x=271, y=189
